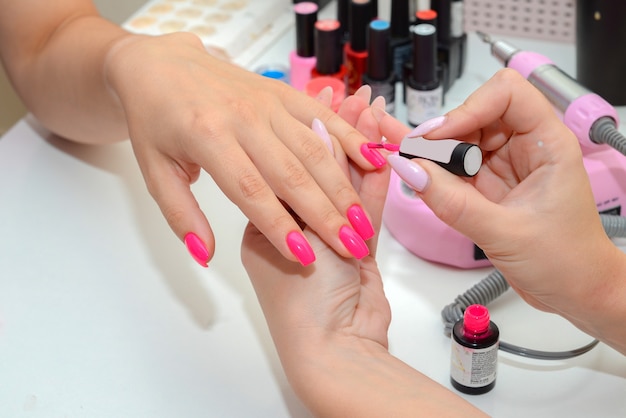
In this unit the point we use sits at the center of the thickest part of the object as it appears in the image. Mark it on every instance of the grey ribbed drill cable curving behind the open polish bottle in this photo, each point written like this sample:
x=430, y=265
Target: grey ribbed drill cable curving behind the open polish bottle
x=495, y=284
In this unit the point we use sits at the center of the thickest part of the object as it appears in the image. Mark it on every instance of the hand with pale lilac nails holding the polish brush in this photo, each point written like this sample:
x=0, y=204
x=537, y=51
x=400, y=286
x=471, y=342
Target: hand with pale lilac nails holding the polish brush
x=530, y=207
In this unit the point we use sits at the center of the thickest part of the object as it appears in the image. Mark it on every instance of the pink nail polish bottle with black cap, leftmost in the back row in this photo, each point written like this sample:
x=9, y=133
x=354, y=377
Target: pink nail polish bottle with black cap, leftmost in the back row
x=302, y=59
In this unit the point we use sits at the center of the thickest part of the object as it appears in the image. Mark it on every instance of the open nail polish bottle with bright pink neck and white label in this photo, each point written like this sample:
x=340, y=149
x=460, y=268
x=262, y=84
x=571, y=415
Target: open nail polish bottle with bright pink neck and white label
x=474, y=357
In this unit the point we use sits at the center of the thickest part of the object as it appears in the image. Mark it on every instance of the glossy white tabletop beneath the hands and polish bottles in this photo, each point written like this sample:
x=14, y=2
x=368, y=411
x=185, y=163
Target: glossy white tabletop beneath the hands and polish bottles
x=104, y=314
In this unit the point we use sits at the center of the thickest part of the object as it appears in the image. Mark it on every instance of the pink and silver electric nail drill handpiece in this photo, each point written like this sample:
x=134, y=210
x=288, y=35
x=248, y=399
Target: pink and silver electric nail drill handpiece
x=592, y=119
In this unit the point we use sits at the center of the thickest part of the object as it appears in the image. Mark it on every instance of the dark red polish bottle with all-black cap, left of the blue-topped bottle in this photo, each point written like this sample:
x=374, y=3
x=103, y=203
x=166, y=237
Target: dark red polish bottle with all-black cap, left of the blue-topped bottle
x=355, y=50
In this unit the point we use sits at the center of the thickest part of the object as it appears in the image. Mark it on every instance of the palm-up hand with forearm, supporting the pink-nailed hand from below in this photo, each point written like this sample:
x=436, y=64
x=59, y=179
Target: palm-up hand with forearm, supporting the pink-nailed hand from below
x=329, y=320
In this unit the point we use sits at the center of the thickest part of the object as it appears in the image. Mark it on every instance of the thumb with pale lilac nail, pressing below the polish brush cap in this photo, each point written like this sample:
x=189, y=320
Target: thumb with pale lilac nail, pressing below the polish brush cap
x=452, y=199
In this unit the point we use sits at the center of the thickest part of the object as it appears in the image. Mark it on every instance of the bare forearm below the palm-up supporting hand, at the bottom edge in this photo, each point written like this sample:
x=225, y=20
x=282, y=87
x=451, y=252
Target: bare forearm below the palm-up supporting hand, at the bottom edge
x=348, y=376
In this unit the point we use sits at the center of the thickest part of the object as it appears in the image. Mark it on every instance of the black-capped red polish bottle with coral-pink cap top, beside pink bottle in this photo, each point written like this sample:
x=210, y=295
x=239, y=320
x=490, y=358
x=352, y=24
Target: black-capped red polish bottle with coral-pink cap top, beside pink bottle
x=328, y=50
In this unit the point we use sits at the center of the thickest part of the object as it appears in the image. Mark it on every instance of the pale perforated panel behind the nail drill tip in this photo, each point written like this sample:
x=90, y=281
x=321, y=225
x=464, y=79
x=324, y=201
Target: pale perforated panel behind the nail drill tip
x=552, y=20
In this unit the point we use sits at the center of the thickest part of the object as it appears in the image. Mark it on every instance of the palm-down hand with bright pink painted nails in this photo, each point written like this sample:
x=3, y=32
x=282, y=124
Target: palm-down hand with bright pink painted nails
x=188, y=111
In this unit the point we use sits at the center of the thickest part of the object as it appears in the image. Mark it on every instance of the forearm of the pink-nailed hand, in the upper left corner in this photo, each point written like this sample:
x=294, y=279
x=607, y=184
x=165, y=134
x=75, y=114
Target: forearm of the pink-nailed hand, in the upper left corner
x=58, y=70
